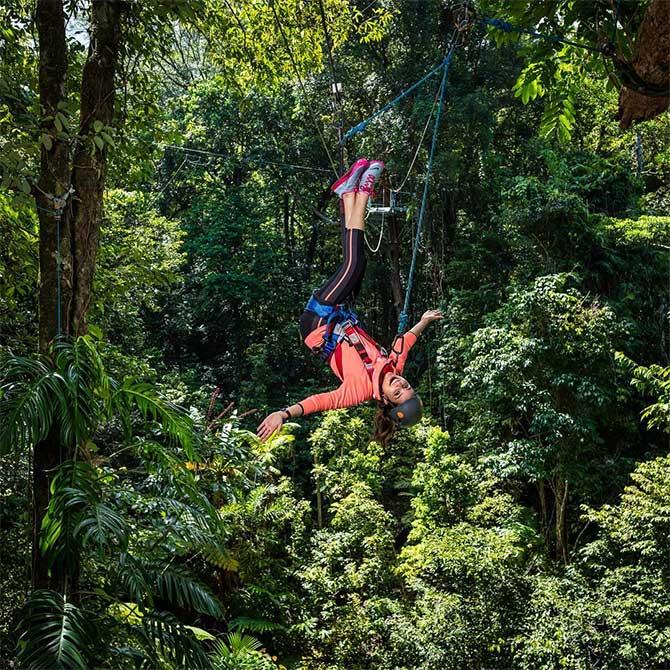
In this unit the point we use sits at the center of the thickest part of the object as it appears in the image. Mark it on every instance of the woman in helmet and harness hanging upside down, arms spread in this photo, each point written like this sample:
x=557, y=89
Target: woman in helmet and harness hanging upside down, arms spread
x=365, y=369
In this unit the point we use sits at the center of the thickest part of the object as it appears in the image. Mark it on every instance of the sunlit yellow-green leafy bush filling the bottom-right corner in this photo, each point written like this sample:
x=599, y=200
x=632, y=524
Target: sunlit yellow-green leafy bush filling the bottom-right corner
x=612, y=609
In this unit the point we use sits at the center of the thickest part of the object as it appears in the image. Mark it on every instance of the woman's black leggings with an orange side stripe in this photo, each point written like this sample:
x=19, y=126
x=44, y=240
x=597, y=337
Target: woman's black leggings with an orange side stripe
x=345, y=284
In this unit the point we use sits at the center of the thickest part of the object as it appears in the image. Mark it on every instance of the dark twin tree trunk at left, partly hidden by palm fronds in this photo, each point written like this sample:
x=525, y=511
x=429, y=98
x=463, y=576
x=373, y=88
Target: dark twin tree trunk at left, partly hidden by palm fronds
x=69, y=274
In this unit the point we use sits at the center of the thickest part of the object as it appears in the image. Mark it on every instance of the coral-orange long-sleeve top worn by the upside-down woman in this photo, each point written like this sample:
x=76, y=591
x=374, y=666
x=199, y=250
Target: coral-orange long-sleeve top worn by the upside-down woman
x=356, y=387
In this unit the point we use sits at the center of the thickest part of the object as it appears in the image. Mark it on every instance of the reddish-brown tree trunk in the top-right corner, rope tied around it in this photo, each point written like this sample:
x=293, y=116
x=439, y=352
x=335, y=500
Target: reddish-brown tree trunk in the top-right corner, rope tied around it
x=651, y=63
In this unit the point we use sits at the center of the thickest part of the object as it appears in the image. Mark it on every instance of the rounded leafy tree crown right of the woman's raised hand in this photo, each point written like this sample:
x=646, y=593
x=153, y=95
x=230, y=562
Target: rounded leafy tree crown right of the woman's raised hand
x=540, y=380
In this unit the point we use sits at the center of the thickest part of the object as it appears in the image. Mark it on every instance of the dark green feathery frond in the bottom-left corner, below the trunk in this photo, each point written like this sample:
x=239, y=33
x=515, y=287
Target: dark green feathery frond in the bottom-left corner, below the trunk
x=55, y=633
